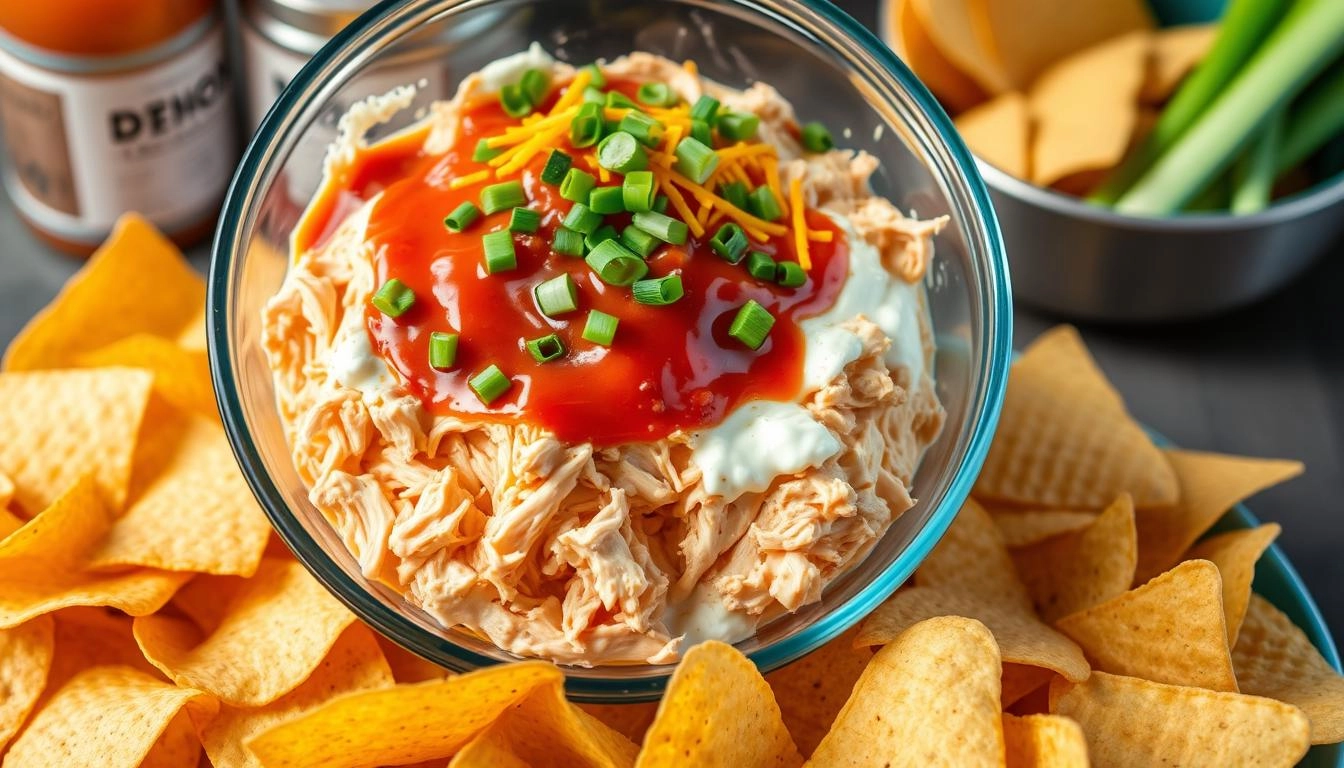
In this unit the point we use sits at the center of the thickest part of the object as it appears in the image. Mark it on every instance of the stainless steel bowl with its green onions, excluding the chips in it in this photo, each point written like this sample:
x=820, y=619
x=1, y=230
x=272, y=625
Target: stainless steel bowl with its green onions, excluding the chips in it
x=1236, y=192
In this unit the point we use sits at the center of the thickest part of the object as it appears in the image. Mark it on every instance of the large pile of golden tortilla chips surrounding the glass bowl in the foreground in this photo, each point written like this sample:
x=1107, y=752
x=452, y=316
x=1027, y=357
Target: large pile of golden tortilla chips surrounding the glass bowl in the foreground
x=1073, y=614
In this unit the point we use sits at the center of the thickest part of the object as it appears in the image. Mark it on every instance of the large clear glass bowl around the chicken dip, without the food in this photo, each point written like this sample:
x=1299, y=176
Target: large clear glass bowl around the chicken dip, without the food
x=821, y=60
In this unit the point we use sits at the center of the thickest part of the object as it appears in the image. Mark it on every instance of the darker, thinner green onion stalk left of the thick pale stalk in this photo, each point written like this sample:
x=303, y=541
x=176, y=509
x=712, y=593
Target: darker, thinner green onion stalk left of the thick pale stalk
x=1244, y=28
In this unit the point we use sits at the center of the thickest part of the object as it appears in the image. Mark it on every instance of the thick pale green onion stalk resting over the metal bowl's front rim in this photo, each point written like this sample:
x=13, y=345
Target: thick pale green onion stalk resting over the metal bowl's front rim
x=1308, y=40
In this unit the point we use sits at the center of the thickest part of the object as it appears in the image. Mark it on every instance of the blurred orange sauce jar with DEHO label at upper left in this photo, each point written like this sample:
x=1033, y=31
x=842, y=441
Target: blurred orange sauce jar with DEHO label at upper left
x=111, y=107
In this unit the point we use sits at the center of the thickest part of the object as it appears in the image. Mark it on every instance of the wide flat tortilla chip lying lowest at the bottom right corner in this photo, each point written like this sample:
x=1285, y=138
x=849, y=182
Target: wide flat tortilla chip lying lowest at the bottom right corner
x=1130, y=722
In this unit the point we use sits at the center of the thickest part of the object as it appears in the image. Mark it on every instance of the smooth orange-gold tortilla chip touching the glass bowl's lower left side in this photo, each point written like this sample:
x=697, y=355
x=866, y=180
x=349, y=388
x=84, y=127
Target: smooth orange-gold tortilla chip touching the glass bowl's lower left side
x=194, y=510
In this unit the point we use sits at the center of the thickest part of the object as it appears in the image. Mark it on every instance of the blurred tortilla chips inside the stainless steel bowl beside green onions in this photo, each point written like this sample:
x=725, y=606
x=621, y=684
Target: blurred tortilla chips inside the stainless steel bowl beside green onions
x=1054, y=95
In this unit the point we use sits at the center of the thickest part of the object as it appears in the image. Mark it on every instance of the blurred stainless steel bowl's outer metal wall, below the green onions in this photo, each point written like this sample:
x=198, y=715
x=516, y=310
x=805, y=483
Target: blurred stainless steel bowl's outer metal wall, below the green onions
x=1092, y=264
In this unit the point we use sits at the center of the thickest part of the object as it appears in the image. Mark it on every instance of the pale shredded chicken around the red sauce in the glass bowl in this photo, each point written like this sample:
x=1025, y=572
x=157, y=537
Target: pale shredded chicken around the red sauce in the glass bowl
x=571, y=552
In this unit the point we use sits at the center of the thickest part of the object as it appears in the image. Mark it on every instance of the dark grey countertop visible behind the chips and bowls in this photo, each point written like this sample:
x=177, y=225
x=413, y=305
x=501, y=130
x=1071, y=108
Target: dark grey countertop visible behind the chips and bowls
x=1265, y=381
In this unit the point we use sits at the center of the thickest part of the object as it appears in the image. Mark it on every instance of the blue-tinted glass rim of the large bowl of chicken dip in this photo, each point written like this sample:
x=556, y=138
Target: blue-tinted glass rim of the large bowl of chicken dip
x=995, y=353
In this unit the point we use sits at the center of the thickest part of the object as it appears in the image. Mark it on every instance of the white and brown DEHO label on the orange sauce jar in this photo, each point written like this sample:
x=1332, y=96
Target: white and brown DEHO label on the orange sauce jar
x=85, y=149
